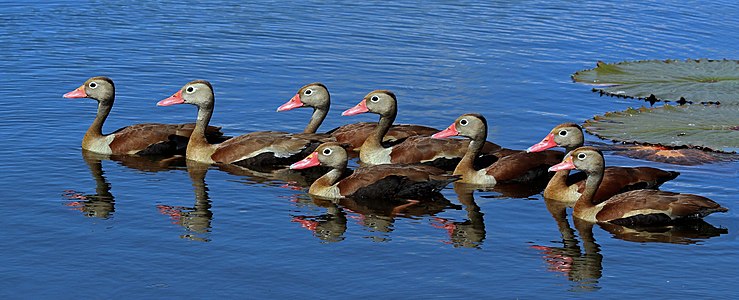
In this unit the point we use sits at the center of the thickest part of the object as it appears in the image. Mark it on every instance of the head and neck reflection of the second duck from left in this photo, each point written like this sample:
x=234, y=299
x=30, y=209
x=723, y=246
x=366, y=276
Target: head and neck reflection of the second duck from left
x=196, y=219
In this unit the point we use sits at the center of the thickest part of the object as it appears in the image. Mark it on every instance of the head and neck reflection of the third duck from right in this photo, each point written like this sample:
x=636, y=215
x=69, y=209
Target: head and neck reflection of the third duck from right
x=469, y=233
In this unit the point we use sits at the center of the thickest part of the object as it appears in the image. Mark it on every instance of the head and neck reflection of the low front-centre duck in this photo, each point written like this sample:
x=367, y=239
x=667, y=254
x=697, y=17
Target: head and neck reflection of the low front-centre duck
x=328, y=227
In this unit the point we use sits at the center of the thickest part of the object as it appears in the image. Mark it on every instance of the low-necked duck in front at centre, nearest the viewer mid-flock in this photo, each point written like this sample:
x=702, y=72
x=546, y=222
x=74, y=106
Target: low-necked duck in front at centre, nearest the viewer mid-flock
x=417, y=182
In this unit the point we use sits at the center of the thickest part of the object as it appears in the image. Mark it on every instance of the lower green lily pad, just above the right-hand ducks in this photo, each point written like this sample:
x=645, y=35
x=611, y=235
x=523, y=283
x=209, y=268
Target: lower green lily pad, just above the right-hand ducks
x=713, y=127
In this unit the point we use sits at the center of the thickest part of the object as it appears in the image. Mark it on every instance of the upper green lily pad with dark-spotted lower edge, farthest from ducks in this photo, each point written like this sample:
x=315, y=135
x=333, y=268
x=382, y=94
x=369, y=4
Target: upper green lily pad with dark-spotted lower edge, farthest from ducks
x=689, y=81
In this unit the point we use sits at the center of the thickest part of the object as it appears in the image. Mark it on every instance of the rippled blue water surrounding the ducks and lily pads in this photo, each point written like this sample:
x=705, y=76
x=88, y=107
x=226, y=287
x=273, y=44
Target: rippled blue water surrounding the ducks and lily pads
x=174, y=233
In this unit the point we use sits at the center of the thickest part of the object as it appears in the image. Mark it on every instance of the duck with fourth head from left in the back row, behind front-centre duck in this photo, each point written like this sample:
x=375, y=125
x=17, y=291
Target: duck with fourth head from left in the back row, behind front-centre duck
x=415, y=149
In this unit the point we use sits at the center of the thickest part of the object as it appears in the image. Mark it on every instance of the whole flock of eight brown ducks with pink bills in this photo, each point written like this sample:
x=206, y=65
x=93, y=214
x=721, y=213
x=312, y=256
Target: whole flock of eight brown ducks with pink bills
x=401, y=164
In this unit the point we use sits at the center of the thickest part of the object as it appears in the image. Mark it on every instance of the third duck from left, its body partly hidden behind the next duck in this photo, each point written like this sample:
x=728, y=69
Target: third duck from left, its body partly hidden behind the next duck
x=316, y=95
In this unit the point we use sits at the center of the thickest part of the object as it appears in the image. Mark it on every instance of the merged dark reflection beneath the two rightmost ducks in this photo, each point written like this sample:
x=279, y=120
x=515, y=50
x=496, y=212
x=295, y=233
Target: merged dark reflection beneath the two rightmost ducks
x=584, y=265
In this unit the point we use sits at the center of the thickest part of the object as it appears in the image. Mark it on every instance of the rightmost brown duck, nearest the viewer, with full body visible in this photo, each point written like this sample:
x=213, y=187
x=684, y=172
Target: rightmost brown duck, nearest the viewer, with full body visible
x=633, y=208
